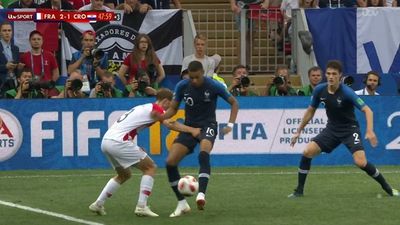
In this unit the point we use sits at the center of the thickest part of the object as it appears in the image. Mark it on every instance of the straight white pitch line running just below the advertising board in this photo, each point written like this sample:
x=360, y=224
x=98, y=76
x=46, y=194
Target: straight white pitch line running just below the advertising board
x=214, y=173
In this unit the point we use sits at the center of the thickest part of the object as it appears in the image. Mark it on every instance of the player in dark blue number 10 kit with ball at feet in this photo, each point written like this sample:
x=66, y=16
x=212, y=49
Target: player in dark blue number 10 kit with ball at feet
x=200, y=95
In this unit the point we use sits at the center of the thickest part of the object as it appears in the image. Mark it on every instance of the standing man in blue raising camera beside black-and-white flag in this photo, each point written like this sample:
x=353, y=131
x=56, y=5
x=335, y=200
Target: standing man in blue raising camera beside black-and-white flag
x=90, y=61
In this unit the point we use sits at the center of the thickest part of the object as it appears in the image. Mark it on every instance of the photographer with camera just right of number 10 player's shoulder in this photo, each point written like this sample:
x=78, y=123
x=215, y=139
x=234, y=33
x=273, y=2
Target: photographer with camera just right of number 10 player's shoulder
x=241, y=83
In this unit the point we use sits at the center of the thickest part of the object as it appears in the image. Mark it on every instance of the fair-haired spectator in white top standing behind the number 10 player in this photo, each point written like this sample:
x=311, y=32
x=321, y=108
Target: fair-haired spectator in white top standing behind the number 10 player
x=200, y=44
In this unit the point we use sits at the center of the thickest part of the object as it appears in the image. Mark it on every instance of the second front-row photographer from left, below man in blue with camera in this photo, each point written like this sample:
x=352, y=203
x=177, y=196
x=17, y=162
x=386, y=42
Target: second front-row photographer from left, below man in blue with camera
x=73, y=86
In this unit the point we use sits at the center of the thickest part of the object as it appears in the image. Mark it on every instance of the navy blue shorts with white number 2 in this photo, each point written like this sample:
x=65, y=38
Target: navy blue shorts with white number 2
x=329, y=139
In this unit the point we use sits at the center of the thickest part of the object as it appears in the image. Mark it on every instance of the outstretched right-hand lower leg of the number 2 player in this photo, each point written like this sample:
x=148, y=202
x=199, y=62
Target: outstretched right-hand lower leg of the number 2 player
x=361, y=161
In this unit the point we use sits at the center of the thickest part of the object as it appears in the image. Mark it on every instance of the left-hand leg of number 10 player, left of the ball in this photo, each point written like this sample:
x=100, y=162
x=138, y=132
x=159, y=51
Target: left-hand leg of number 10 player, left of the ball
x=176, y=154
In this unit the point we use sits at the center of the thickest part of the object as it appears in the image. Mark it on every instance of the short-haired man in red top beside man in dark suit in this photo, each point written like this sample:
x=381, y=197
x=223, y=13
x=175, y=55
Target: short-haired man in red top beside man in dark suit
x=42, y=63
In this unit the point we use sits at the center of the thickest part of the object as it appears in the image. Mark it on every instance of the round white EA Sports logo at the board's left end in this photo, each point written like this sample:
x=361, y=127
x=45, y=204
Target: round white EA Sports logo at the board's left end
x=10, y=135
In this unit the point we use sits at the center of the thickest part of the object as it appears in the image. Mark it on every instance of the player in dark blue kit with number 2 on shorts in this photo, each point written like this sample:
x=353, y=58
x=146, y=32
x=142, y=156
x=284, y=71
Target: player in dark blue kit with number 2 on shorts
x=339, y=101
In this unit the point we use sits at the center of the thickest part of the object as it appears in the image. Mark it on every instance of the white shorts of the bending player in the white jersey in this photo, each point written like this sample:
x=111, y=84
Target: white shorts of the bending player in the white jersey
x=122, y=154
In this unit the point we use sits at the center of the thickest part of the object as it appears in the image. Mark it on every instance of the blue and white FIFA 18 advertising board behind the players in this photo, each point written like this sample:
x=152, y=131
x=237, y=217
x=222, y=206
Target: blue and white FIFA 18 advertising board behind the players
x=66, y=133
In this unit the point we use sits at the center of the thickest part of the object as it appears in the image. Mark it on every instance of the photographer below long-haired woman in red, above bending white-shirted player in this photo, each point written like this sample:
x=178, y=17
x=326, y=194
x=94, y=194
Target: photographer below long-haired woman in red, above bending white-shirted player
x=140, y=87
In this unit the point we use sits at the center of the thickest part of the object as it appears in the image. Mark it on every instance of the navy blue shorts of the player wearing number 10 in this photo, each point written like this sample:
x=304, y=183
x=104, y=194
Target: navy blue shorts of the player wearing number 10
x=208, y=132
